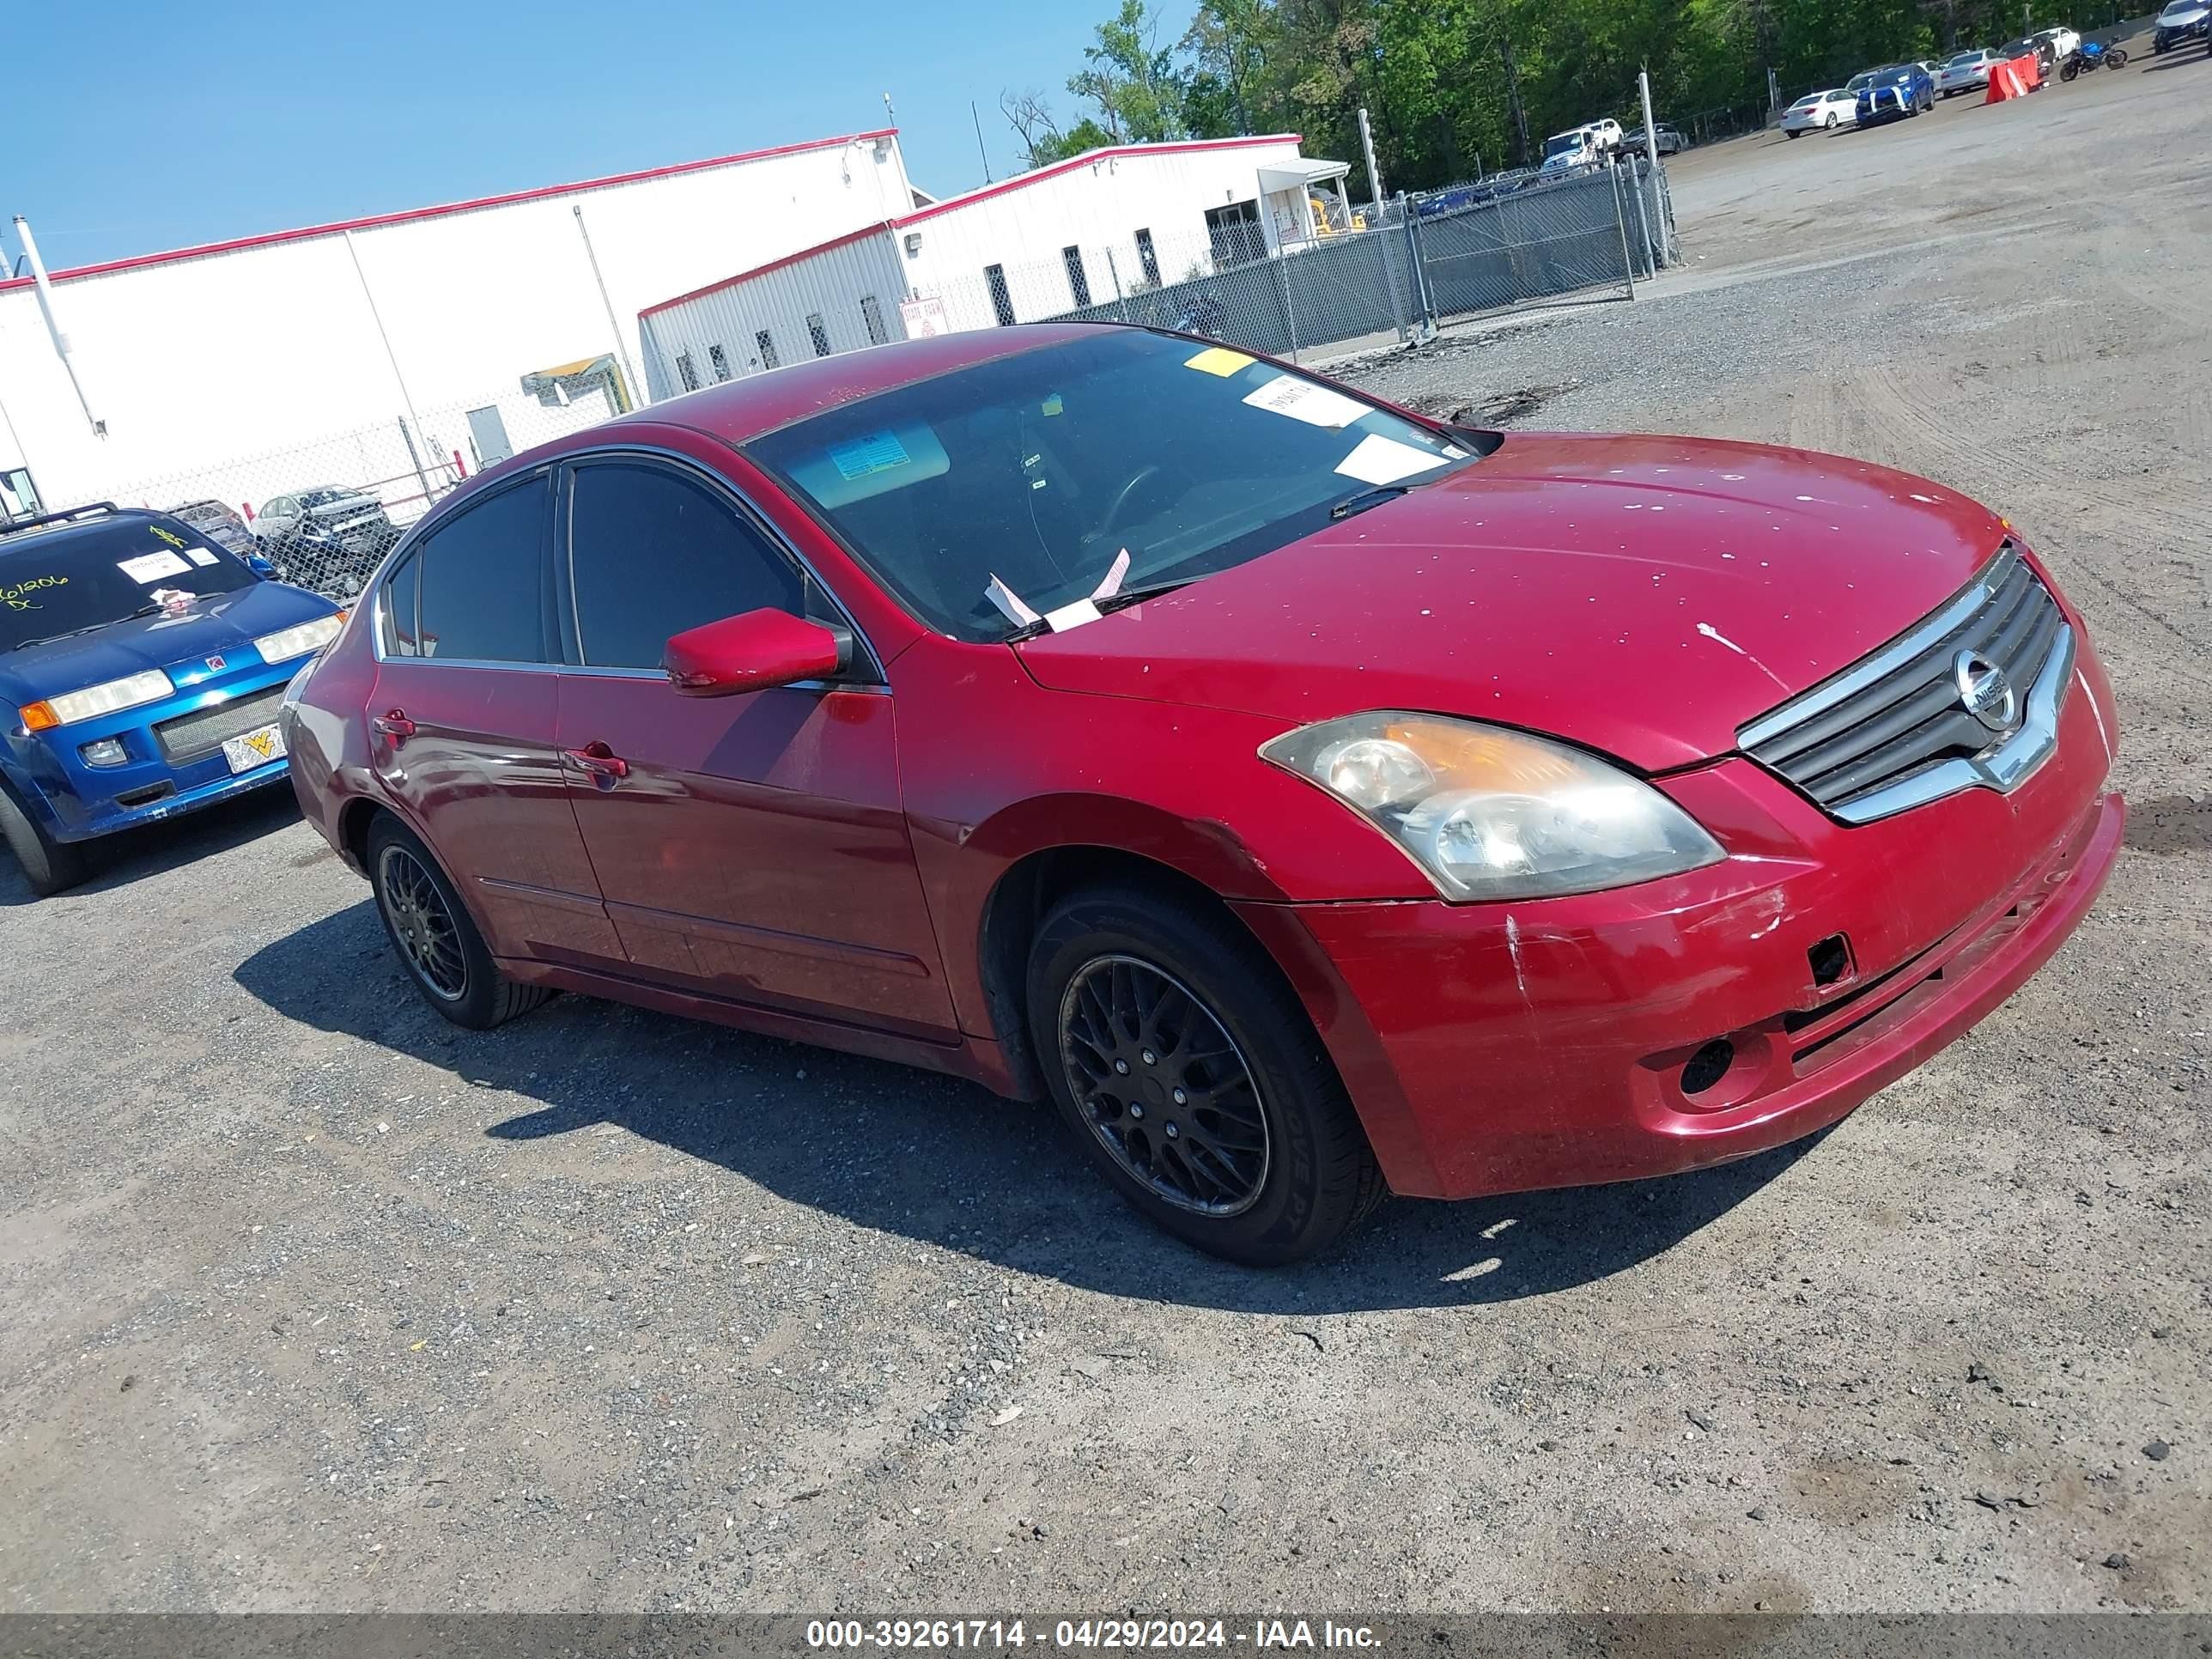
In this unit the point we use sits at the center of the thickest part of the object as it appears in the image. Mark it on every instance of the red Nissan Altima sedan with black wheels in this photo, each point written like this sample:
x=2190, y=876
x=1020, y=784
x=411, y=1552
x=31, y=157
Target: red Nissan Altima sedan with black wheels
x=1308, y=797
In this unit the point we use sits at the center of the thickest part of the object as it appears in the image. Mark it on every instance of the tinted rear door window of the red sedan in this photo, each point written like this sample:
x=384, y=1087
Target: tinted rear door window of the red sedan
x=481, y=581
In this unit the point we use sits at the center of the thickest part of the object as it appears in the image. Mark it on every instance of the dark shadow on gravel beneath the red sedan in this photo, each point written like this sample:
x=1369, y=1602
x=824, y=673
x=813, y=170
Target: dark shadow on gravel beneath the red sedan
x=950, y=1165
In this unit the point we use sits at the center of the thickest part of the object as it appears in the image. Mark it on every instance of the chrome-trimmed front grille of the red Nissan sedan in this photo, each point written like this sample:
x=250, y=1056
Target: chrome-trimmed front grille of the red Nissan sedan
x=1895, y=729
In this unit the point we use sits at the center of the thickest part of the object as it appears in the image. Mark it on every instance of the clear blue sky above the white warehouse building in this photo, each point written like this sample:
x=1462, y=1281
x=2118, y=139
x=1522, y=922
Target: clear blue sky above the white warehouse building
x=154, y=125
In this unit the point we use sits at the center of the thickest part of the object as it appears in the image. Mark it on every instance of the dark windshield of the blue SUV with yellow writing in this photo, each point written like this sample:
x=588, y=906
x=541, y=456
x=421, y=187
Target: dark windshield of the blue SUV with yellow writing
x=72, y=578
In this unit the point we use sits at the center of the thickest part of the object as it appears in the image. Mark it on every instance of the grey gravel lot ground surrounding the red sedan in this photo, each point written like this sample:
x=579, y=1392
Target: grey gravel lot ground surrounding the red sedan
x=317, y=1304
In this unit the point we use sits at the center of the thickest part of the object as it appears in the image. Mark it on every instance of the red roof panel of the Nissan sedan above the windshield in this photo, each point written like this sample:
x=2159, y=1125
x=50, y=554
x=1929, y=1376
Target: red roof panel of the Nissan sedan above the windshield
x=758, y=404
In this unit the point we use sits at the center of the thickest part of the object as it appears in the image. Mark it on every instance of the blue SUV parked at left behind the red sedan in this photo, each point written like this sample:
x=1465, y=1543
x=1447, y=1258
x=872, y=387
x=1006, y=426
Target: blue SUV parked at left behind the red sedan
x=140, y=676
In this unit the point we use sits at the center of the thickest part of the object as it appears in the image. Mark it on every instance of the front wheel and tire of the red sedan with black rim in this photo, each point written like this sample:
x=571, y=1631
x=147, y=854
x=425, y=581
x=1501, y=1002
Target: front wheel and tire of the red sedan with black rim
x=1280, y=1169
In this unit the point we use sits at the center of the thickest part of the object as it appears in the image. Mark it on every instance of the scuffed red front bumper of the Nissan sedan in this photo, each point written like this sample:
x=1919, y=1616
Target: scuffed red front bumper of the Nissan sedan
x=1514, y=1047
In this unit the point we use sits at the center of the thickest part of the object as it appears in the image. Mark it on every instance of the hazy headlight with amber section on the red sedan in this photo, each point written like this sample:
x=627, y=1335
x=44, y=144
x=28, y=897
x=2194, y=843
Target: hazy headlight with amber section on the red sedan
x=1490, y=813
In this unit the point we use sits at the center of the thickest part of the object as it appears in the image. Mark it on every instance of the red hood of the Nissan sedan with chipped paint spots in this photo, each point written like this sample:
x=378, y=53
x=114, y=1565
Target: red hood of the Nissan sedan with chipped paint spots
x=1638, y=596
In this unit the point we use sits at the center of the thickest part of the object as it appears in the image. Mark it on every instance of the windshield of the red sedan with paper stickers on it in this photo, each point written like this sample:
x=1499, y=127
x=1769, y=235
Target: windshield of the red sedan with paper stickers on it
x=1045, y=466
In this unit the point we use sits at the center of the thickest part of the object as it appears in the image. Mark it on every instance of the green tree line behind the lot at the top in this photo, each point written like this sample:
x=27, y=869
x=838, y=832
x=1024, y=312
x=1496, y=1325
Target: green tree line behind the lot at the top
x=1454, y=87
